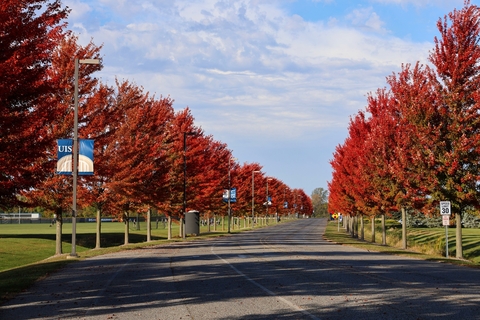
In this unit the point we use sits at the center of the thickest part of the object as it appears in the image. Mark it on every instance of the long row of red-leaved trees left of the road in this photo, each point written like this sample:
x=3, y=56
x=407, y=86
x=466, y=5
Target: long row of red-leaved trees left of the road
x=141, y=142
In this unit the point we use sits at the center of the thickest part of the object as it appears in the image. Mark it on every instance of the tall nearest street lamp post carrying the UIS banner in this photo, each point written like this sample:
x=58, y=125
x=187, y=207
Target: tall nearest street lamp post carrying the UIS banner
x=75, y=152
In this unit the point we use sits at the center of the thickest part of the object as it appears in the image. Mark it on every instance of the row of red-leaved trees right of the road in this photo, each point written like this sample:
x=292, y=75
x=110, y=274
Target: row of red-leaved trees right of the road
x=418, y=142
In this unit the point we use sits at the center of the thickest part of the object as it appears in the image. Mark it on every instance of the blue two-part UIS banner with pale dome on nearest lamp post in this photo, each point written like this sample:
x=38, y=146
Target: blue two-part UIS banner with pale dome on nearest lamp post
x=65, y=156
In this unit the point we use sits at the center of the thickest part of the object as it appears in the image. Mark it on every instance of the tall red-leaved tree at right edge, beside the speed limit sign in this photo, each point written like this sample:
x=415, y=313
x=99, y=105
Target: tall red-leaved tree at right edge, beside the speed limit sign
x=456, y=58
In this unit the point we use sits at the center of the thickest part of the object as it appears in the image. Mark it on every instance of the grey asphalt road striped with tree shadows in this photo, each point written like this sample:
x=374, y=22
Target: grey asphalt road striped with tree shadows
x=285, y=271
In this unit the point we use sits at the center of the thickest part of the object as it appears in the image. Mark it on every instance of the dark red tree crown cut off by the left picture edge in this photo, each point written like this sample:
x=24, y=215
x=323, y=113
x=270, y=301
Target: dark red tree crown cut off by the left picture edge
x=29, y=32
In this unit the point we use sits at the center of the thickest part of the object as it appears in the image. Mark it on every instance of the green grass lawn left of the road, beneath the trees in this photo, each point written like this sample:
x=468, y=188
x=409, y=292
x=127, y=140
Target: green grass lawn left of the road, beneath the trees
x=27, y=250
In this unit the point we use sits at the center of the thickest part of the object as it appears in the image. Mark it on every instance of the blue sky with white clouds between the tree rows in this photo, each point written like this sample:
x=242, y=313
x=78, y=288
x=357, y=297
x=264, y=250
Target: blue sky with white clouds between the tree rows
x=276, y=80
